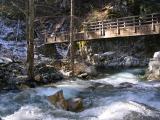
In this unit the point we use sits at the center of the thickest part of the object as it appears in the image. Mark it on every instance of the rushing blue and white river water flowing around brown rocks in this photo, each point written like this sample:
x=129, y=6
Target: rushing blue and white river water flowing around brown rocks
x=119, y=96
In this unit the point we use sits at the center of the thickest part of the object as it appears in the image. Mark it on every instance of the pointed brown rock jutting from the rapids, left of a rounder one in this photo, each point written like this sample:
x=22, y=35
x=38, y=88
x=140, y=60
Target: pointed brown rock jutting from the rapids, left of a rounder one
x=58, y=100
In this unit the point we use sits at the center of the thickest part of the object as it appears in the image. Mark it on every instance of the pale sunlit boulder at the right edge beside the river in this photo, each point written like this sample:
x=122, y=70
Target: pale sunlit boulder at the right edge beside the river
x=153, y=71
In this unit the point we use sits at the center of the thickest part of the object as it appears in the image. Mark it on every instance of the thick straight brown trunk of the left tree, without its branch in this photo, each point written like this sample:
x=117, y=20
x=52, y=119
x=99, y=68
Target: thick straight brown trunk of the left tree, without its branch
x=30, y=52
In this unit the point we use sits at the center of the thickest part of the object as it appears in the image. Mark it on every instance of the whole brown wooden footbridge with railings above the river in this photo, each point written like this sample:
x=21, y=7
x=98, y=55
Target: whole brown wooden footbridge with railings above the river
x=120, y=27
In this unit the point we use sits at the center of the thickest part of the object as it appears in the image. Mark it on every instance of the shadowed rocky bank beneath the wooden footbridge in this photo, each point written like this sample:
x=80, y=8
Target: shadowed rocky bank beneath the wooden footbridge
x=120, y=52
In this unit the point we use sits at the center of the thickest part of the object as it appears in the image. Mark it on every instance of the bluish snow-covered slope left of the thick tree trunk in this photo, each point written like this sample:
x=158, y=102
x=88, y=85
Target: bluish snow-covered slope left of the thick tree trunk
x=11, y=49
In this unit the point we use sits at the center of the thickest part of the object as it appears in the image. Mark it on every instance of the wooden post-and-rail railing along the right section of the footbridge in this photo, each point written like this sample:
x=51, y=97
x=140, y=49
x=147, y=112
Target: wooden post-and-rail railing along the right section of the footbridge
x=122, y=22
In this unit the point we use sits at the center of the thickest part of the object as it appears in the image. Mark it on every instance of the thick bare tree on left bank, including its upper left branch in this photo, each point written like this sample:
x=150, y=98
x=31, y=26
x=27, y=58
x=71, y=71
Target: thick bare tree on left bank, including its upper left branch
x=28, y=11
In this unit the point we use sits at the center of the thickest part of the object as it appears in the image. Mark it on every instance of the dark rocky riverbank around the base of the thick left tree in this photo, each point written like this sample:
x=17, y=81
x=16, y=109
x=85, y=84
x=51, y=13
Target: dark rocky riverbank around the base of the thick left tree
x=13, y=75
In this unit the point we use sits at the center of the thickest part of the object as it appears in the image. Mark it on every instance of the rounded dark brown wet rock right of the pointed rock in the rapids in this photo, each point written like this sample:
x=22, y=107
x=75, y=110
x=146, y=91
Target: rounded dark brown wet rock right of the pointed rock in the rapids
x=75, y=105
